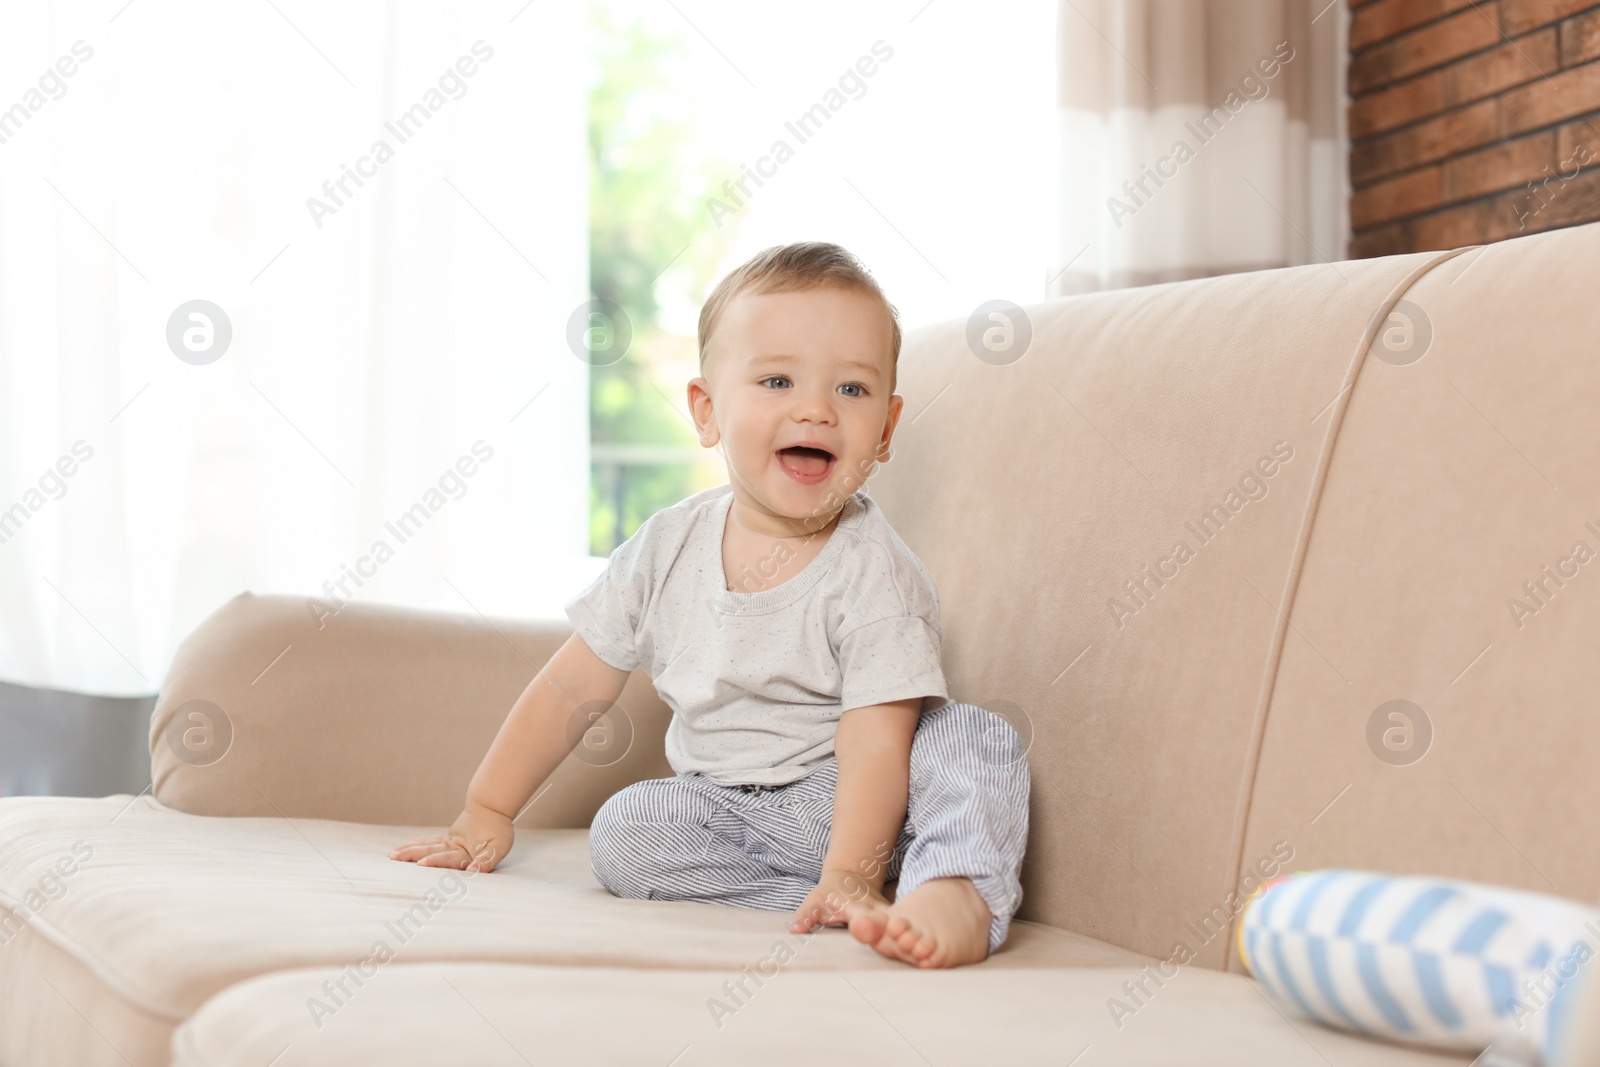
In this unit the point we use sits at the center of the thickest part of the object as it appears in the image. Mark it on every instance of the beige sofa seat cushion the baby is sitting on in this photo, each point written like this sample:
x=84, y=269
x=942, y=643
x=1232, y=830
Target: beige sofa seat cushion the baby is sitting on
x=166, y=909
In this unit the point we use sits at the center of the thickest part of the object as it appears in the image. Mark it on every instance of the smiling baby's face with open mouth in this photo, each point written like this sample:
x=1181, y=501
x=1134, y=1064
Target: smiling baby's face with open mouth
x=799, y=369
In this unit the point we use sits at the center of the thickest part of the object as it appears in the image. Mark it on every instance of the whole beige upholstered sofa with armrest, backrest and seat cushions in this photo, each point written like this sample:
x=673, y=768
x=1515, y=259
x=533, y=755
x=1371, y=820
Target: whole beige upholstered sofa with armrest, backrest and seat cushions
x=1222, y=717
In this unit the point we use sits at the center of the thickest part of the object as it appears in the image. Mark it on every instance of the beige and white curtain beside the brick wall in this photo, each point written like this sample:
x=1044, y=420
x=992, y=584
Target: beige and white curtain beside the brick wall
x=1199, y=138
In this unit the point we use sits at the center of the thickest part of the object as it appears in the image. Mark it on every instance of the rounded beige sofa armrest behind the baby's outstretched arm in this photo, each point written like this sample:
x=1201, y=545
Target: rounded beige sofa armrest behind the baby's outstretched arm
x=377, y=714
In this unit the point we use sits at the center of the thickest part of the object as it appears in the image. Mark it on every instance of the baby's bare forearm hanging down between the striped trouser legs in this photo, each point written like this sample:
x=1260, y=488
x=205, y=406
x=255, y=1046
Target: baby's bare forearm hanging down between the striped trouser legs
x=873, y=746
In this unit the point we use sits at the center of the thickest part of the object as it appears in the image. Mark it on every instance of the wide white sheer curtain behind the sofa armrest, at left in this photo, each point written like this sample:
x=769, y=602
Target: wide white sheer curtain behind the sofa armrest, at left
x=383, y=343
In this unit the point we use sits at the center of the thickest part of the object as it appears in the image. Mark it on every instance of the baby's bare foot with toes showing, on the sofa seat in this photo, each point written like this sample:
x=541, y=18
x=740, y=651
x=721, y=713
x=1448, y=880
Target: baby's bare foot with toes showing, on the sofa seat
x=943, y=922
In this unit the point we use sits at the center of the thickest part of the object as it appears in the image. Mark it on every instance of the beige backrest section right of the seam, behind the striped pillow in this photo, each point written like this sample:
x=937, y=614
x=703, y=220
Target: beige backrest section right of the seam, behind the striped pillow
x=1457, y=479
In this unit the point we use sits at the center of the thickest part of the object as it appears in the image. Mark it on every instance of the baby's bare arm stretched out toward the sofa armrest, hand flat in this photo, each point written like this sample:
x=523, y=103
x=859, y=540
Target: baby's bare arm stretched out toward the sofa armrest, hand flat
x=532, y=743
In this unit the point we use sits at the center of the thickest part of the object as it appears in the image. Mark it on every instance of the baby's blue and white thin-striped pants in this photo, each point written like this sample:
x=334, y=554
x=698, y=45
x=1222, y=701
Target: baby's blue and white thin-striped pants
x=762, y=847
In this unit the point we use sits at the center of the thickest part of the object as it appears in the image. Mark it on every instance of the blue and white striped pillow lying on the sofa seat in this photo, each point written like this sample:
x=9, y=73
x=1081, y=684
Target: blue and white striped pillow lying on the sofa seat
x=1430, y=961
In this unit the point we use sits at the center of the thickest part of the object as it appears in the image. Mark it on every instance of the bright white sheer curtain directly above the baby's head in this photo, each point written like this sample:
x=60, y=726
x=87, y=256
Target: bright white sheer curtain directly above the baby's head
x=937, y=169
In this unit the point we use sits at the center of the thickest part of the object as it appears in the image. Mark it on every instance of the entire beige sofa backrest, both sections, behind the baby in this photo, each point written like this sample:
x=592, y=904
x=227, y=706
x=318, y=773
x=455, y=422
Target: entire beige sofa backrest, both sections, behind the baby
x=1199, y=533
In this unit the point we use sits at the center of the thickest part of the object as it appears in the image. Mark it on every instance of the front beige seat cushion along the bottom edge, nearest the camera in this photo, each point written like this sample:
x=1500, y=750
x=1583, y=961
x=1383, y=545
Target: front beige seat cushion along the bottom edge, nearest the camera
x=487, y=1013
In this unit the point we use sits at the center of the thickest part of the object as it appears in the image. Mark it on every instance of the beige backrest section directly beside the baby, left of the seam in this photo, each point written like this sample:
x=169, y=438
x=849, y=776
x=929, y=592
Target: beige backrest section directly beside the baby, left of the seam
x=1033, y=492
